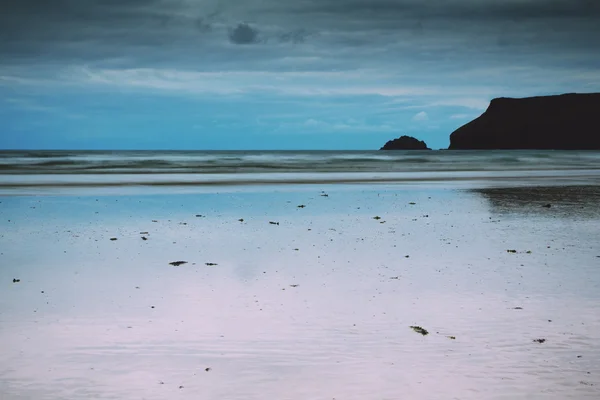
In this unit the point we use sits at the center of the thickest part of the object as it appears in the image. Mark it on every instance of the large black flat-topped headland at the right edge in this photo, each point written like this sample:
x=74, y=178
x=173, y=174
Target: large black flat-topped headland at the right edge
x=563, y=122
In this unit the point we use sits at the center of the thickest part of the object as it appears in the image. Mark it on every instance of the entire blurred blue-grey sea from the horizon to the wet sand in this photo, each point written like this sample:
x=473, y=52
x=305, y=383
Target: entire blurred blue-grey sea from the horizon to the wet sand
x=26, y=171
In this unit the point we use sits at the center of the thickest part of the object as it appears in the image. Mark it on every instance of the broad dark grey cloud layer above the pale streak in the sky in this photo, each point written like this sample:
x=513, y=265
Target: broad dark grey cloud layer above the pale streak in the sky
x=318, y=35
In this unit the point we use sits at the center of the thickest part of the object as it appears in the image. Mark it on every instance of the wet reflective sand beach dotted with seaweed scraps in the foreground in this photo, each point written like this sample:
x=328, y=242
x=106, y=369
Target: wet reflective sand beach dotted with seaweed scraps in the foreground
x=316, y=305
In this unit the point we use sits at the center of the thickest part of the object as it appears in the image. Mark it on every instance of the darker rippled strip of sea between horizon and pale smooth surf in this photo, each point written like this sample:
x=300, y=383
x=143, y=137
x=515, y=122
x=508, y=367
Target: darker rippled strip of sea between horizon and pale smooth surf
x=140, y=162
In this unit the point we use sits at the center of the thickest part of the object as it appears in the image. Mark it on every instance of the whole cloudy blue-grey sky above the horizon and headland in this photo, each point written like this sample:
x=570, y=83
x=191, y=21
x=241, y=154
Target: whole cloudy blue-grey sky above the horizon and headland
x=278, y=74
